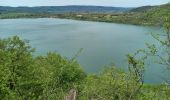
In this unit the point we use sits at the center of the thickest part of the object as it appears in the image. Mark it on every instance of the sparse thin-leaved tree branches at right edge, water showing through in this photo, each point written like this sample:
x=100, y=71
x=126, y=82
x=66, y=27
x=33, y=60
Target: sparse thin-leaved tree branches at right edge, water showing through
x=161, y=49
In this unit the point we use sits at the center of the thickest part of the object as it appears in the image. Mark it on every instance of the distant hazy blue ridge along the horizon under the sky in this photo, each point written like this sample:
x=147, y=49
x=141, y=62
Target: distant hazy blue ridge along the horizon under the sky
x=63, y=9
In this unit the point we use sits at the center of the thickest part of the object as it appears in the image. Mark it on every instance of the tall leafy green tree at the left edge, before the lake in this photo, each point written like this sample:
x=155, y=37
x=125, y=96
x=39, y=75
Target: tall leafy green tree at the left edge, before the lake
x=15, y=62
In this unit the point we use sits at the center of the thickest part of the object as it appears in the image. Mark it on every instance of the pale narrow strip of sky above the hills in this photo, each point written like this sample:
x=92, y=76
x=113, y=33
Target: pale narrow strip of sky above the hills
x=117, y=3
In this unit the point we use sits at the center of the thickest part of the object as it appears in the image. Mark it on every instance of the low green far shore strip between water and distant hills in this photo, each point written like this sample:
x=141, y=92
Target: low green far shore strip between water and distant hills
x=86, y=17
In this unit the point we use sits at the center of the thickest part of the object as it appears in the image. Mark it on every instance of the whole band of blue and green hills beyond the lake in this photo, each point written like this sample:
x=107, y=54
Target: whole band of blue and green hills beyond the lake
x=148, y=15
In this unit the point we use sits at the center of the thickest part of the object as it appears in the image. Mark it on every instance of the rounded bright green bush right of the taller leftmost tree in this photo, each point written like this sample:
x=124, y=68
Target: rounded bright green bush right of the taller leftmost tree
x=57, y=74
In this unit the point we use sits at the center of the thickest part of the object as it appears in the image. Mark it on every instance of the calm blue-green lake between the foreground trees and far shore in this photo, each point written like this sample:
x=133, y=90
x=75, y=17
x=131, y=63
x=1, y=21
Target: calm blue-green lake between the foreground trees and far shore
x=103, y=44
